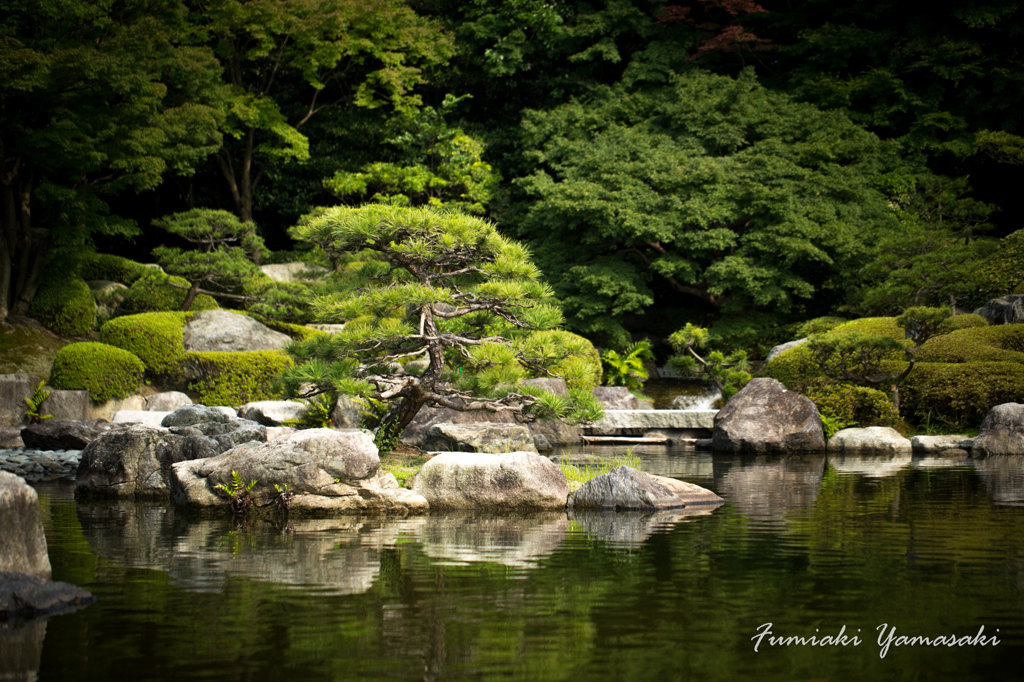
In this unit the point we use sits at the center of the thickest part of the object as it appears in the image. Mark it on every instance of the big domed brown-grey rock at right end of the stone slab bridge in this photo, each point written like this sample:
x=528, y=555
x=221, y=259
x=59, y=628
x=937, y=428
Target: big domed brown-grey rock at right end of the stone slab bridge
x=765, y=418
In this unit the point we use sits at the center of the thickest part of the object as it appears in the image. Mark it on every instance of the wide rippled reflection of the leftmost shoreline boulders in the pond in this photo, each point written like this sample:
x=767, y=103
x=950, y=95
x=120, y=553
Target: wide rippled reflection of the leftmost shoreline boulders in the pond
x=339, y=556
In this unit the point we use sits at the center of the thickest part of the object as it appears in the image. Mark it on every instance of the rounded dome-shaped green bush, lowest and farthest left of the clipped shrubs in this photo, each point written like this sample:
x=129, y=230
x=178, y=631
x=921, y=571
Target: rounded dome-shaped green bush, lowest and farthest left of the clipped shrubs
x=105, y=371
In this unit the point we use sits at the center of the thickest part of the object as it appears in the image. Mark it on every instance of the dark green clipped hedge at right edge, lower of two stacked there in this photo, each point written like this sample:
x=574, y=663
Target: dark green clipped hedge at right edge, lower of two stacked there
x=961, y=394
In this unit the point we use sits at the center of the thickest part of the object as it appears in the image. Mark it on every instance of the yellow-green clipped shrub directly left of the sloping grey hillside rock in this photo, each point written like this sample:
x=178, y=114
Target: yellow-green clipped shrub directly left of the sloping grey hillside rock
x=154, y=337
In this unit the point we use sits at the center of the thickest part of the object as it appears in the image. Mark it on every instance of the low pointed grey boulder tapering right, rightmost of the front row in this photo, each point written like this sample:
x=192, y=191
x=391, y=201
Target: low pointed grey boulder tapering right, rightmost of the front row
x=627, y=488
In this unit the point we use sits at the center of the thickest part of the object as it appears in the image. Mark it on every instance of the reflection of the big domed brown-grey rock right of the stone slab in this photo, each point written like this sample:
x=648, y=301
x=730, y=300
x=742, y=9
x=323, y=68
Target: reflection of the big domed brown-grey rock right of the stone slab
x=769, y=487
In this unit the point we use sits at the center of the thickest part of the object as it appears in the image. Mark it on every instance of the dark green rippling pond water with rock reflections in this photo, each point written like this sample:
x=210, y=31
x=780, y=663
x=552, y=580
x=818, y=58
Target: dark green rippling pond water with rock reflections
x=814, y=546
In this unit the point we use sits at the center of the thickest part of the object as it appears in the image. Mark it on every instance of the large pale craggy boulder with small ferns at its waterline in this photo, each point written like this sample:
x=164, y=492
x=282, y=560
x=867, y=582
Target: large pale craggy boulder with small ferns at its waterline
x=326, y=471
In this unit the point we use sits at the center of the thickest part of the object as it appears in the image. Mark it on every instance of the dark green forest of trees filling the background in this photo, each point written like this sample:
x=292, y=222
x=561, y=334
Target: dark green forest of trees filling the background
x=742, y=166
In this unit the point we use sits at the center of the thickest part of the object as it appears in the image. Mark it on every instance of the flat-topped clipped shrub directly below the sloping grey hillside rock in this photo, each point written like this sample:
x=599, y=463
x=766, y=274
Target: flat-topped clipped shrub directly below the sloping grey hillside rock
x=235, y=378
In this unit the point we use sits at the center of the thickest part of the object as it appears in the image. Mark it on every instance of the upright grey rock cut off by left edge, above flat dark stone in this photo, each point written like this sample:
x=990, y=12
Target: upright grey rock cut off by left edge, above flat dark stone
x=23, y=545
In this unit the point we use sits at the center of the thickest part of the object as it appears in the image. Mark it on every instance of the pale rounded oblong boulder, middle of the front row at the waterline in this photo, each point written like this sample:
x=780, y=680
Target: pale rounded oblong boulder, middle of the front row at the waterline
x=511, y=482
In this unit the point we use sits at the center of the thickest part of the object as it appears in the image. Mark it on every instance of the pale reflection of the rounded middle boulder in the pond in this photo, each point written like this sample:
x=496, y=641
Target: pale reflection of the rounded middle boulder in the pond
x=513, y=541
